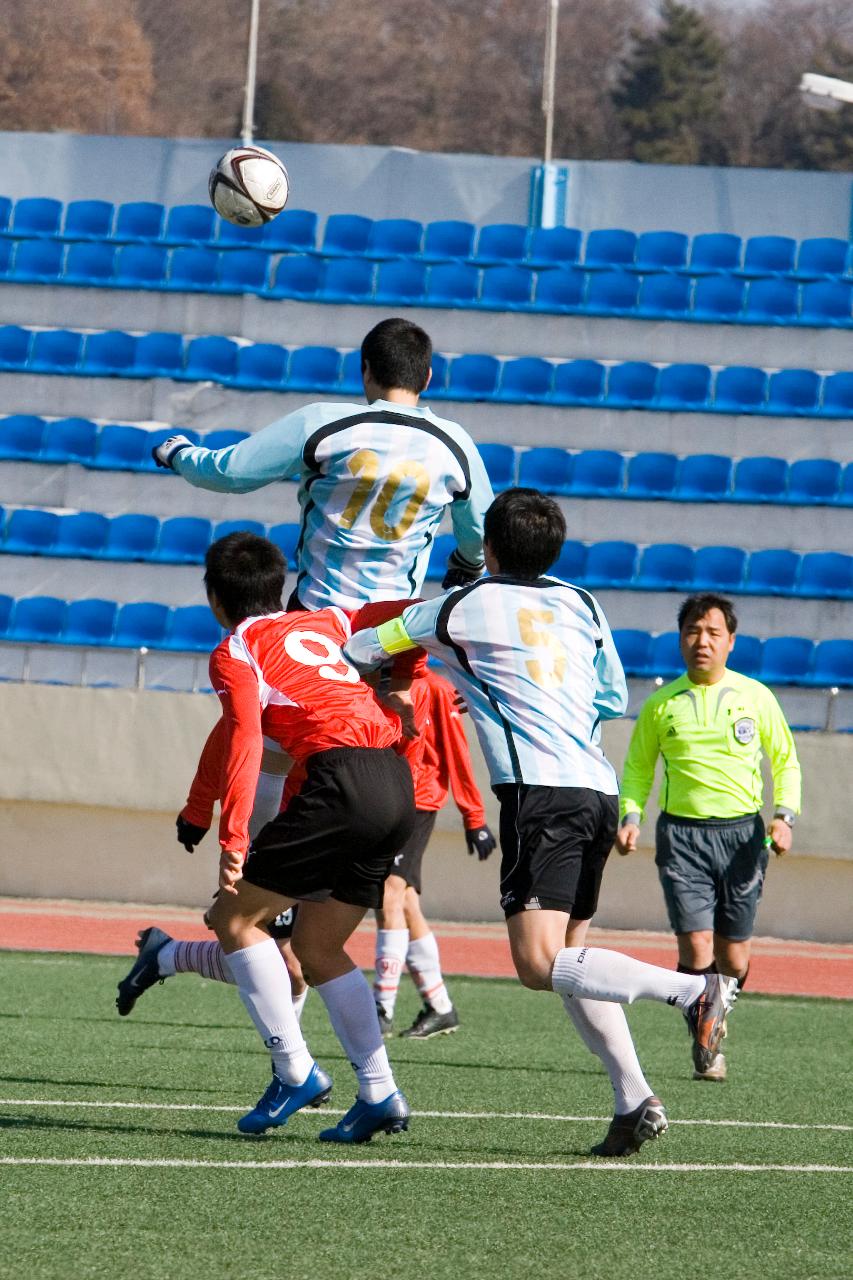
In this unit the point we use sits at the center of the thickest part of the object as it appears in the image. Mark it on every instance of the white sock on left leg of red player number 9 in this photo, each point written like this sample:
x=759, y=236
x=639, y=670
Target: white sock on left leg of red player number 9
x=264, y=988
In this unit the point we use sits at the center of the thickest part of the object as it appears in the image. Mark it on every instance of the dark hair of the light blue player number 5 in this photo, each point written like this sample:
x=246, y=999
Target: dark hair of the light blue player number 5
x=526, y=532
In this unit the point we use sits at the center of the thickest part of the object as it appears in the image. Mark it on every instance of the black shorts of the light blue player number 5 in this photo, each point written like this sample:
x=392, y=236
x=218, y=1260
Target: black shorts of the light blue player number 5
x=555, y=843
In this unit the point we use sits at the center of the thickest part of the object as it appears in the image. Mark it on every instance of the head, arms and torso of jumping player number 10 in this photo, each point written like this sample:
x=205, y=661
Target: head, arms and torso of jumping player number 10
x=375, y=481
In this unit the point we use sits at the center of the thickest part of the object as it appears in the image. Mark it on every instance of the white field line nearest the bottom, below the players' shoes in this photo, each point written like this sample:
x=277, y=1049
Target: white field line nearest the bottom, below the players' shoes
x=518, y=1167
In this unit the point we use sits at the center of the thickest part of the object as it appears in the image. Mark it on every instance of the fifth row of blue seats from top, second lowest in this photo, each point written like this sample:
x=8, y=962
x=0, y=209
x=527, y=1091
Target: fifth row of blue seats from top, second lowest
x=606, y=565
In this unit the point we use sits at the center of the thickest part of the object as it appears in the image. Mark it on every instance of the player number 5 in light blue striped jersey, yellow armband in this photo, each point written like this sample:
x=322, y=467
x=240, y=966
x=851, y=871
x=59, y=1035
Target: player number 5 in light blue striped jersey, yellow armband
x=537, y=665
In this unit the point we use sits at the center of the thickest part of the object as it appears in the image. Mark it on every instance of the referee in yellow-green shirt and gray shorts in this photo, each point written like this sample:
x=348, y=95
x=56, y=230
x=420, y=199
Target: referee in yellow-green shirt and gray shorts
x=711, y=726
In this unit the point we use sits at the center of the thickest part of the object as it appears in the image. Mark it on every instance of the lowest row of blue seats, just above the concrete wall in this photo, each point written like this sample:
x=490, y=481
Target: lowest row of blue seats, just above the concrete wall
x=193, y=629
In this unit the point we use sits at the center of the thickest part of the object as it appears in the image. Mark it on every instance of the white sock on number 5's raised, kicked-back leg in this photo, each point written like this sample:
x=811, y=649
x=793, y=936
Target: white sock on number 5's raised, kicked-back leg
x=601, y=975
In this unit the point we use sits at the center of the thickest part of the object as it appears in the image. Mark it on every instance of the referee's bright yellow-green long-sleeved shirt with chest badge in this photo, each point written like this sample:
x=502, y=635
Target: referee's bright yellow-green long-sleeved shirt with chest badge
x=711, y=739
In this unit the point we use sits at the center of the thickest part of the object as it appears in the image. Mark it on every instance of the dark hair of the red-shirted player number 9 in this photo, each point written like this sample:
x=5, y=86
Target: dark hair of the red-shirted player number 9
x=248, y=575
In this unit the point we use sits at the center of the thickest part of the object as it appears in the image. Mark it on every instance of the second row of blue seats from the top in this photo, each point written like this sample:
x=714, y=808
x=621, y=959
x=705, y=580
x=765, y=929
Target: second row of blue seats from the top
x=562, y=291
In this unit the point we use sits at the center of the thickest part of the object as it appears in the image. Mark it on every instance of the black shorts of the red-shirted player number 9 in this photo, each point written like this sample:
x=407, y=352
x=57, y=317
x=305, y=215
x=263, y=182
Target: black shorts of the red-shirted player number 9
x=340, y=834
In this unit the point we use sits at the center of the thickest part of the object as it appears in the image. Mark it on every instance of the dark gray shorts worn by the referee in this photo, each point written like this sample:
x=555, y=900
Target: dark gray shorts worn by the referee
x=713, y=874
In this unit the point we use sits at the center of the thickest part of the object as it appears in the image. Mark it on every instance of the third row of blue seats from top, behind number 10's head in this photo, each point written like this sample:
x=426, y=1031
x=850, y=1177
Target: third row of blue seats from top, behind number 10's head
x=528, y=380
